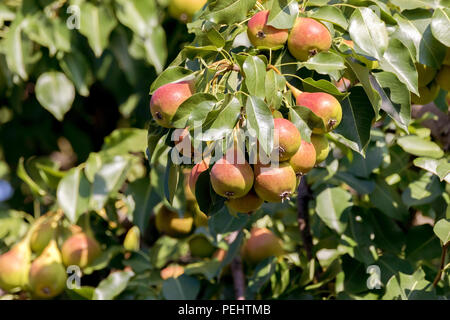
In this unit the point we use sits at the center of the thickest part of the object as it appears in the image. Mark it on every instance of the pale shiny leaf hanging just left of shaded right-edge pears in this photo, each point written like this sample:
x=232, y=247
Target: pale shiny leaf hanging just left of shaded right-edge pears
x=397, y=59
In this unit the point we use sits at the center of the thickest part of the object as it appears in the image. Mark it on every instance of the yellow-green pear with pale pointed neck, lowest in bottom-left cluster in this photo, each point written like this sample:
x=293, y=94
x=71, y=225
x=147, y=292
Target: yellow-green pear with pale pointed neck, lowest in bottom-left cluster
x=47, y=274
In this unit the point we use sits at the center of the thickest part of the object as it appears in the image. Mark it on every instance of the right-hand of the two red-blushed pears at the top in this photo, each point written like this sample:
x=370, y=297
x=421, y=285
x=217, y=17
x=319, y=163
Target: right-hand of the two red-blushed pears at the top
x=307, y=38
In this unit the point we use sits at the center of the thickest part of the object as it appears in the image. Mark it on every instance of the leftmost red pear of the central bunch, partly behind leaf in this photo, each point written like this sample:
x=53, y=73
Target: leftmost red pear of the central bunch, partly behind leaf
x=166, y=100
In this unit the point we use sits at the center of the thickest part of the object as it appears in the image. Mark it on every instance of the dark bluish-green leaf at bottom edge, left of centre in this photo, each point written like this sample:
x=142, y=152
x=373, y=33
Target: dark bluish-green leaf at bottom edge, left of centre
x=181, y=288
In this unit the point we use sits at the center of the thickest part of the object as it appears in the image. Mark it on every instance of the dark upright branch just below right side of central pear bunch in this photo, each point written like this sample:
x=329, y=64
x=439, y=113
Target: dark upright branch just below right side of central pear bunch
x=303, y=198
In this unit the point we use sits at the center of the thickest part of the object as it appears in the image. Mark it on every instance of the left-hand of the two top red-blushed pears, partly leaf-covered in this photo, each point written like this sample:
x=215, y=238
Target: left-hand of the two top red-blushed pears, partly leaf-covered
x=263, y=35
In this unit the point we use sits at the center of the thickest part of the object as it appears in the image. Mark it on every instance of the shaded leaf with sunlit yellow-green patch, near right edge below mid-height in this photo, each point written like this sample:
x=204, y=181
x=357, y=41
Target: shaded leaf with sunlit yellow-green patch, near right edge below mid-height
x=422, y=191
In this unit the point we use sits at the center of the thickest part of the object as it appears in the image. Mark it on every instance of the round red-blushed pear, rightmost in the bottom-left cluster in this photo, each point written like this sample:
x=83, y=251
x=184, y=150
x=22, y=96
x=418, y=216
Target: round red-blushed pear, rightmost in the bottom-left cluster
x=80, y=249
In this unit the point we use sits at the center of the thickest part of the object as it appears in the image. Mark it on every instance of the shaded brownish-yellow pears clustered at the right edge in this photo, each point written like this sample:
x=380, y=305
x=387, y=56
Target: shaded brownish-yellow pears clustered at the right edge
x=431, y=80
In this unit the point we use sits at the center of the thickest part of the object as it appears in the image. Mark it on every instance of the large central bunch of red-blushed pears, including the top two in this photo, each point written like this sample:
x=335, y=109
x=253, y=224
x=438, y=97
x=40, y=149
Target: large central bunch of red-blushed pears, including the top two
x=247, y=186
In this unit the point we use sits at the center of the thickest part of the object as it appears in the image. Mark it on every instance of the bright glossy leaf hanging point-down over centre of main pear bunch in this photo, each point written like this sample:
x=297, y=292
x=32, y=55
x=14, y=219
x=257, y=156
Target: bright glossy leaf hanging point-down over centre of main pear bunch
x=260, y=122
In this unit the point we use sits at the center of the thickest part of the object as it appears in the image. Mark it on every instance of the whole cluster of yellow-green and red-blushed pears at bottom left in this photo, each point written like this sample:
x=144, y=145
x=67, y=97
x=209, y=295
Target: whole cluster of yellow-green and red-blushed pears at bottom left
x=37, y=265
